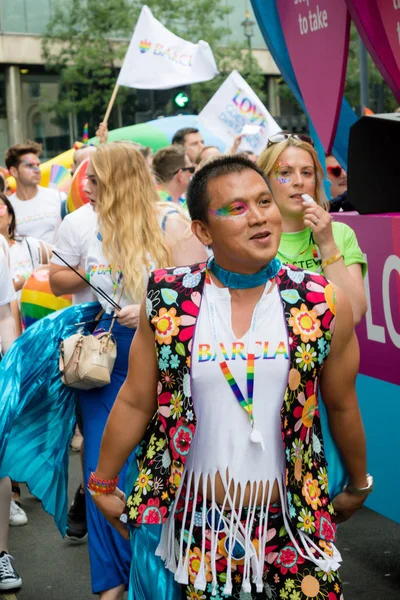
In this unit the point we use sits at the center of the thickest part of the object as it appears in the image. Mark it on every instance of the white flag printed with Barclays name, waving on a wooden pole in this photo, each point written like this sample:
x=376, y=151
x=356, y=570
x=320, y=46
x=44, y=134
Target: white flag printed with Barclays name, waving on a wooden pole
x=158, y=59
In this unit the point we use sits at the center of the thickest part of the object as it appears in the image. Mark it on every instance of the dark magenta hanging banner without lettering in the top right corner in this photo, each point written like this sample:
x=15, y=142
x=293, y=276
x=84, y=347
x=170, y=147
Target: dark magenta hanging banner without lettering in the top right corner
x=378, y=23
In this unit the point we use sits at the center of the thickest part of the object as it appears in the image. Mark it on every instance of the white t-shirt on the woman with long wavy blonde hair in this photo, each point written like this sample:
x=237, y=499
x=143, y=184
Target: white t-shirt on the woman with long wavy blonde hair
x=104, y=277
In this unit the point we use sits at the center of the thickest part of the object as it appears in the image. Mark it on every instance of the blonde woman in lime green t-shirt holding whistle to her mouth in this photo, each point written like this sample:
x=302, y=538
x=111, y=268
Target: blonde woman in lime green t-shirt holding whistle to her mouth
x=310, y=239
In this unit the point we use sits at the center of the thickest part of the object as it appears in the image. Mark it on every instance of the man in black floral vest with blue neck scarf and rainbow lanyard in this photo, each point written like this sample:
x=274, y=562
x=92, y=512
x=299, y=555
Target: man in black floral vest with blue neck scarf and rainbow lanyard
x=222, y=388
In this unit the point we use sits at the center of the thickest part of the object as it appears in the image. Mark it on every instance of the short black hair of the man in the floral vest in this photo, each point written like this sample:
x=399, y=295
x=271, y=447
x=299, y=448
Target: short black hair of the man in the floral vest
x=197, y=197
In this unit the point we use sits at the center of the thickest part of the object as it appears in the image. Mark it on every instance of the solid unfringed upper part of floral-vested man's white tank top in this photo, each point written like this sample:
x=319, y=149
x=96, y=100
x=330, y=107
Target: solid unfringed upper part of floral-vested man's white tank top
x=244, y=459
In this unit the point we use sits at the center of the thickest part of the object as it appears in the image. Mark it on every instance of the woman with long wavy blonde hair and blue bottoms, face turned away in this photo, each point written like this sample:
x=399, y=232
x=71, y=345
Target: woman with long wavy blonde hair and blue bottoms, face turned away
x=135, y=234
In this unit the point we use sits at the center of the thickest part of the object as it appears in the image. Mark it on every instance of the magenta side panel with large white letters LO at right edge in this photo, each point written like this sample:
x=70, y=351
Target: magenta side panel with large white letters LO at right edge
x=379, y=331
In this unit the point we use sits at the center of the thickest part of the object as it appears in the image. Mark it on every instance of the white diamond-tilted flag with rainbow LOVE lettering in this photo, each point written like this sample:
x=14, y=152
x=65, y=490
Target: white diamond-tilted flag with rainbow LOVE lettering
x=234, y=109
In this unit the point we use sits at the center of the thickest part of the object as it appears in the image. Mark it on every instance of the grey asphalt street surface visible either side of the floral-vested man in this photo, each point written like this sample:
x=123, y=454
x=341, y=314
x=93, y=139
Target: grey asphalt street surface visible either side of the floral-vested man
x=54, y=570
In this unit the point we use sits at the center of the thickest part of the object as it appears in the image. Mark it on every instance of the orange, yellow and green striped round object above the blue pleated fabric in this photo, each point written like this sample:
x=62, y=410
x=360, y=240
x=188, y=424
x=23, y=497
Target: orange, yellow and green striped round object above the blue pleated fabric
x=37, y=300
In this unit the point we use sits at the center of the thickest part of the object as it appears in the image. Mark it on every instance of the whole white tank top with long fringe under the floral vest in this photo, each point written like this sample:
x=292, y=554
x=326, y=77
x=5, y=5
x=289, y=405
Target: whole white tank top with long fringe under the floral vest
x=223, y=441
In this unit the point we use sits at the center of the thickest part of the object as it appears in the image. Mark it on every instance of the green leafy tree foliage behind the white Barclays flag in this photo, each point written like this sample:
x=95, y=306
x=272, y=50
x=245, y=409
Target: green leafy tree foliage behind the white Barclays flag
x=86, y=40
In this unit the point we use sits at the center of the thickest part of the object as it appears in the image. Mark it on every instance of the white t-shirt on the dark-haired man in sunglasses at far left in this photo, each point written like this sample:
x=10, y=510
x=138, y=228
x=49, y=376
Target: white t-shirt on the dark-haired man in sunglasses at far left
x=39, y=216
